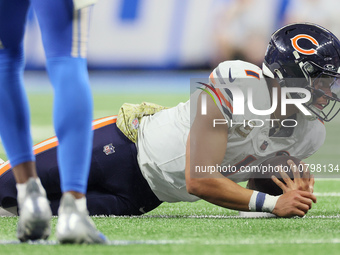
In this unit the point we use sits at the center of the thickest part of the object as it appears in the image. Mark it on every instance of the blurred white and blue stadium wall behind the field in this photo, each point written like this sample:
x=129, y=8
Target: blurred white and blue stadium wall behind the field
x=177, y=34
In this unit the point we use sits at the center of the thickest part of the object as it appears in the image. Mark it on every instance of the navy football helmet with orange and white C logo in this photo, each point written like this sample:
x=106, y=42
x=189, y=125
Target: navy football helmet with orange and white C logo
x=301, y=55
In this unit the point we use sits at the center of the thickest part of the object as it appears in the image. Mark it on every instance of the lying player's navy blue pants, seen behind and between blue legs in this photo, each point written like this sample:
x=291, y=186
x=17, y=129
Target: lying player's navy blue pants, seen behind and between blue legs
x=115, y=185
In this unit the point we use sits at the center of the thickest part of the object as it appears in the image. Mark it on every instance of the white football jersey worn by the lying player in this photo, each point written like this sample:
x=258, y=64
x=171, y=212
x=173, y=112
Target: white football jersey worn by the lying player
x=162, y=137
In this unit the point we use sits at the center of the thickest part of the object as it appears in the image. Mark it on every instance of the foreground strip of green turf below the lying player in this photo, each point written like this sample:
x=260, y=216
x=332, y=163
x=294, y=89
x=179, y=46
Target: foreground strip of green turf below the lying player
x=202, y=228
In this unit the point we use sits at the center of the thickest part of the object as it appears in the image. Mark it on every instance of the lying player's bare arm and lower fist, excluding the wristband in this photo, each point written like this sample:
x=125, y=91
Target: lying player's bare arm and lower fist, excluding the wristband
x=206, y=146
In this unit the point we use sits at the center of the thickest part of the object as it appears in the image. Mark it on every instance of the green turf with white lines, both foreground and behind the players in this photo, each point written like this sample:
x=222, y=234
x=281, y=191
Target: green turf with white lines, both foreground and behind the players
x=193, y=228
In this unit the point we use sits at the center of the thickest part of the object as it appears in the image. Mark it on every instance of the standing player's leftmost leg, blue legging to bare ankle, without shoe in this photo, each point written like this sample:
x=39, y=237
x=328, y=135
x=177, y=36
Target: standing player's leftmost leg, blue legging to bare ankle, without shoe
x=14, y=107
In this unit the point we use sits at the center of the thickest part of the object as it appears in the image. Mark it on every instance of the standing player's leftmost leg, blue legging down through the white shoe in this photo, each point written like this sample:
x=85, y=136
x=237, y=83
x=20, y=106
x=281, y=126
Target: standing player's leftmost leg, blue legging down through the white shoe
x=14, y=125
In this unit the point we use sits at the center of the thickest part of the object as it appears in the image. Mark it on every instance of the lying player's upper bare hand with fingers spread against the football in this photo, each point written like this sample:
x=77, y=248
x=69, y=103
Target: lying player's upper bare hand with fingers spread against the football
x=304, y=182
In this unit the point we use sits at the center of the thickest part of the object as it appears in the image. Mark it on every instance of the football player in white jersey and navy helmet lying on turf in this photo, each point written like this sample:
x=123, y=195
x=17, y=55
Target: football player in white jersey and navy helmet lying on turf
x=149, y=155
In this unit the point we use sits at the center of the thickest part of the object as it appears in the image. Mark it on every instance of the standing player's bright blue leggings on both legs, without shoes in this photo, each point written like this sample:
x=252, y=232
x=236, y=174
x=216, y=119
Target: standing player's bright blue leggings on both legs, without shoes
x=64, y=34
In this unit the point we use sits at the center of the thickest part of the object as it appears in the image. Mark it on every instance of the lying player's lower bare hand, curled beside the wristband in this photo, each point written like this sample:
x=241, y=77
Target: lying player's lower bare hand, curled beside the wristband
x=294, y=203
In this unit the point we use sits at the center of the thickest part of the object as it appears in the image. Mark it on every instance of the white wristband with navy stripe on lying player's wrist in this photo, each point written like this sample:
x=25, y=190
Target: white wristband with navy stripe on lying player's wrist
x=261, y=202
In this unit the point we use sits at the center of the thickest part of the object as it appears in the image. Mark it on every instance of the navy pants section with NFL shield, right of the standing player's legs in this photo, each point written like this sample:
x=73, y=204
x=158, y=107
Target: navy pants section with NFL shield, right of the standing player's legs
x=120, y=188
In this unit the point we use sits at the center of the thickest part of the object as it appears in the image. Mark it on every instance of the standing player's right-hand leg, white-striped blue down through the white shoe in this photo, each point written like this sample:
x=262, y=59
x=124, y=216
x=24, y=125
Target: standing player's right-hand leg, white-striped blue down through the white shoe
x=64, y=33
